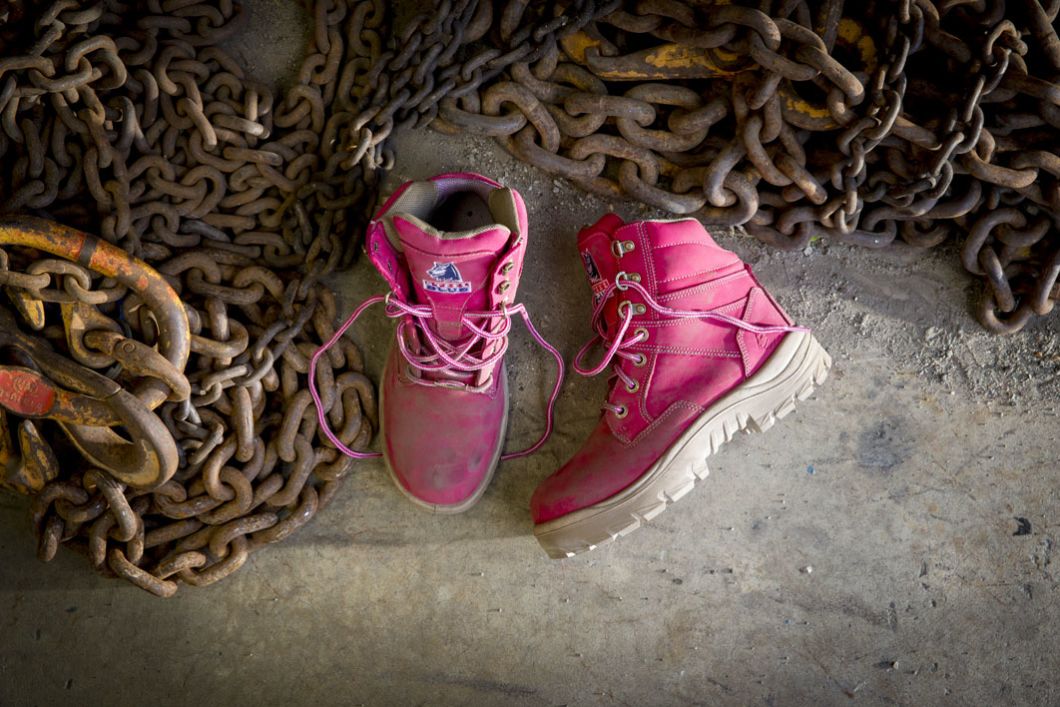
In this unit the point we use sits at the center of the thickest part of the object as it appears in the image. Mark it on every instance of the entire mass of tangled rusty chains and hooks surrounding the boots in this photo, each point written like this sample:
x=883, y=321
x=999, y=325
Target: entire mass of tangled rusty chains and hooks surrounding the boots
x=164, y=361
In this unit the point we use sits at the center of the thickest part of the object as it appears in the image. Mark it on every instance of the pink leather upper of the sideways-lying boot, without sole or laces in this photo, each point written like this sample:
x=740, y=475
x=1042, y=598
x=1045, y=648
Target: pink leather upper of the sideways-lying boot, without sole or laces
x=691, y=363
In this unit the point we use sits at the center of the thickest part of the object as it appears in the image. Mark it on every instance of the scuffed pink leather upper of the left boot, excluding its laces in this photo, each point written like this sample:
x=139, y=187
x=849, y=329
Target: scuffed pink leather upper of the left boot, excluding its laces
x=440, y=443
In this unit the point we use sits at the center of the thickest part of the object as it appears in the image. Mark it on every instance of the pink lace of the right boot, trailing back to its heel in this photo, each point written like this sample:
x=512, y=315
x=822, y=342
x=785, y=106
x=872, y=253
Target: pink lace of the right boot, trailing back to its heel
x=617, y=346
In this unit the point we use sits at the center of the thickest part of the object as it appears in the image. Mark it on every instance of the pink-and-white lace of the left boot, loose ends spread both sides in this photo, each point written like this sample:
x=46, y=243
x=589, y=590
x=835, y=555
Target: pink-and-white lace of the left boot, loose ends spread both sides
x=444, y=357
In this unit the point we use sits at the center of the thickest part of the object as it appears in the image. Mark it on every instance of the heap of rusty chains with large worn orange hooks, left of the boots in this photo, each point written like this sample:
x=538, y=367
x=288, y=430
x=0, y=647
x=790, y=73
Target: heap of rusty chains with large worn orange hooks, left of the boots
x=178, y=408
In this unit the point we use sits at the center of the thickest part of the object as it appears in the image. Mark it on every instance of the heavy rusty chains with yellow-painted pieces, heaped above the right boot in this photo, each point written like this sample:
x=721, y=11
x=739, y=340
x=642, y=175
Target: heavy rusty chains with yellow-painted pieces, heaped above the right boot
x=796, y=119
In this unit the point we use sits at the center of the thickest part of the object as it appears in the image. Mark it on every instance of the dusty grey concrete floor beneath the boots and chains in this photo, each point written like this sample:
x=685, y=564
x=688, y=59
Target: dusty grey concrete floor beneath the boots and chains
x=867, y=550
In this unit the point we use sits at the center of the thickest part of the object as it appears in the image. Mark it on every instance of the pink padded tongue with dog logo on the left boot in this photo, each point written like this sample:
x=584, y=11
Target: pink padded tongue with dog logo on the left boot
x=450, y=272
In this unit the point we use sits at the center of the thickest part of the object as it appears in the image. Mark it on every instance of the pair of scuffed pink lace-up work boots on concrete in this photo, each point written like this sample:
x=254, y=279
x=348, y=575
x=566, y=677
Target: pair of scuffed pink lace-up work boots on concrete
x=698, y=351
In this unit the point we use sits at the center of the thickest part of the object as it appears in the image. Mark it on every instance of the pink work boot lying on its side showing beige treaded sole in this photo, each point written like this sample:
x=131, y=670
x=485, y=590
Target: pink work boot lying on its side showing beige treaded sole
x=700, y=351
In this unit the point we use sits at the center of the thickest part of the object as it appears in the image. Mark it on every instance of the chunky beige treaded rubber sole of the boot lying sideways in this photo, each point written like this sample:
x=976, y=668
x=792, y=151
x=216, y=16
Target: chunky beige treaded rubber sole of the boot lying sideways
x=791, y=374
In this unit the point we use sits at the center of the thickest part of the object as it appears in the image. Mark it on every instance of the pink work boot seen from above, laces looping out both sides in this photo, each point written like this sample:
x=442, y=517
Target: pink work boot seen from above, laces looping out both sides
x=451, y=250
